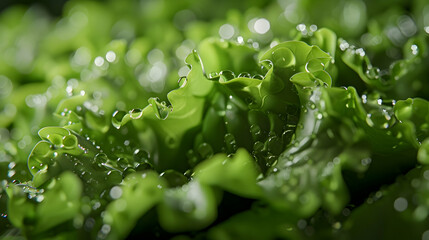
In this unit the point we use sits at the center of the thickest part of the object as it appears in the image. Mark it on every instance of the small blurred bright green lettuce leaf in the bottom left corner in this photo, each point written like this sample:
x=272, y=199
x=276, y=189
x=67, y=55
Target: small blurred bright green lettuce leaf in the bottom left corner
x=39, y=211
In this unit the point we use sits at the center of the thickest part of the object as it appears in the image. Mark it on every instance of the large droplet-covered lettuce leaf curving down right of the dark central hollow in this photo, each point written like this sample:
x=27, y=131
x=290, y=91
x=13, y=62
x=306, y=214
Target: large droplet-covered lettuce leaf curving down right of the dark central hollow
x=337, y=132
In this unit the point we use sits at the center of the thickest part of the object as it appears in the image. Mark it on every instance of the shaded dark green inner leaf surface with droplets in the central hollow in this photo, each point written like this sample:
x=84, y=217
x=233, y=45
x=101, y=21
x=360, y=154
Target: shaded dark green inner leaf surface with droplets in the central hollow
x=264, y=134
